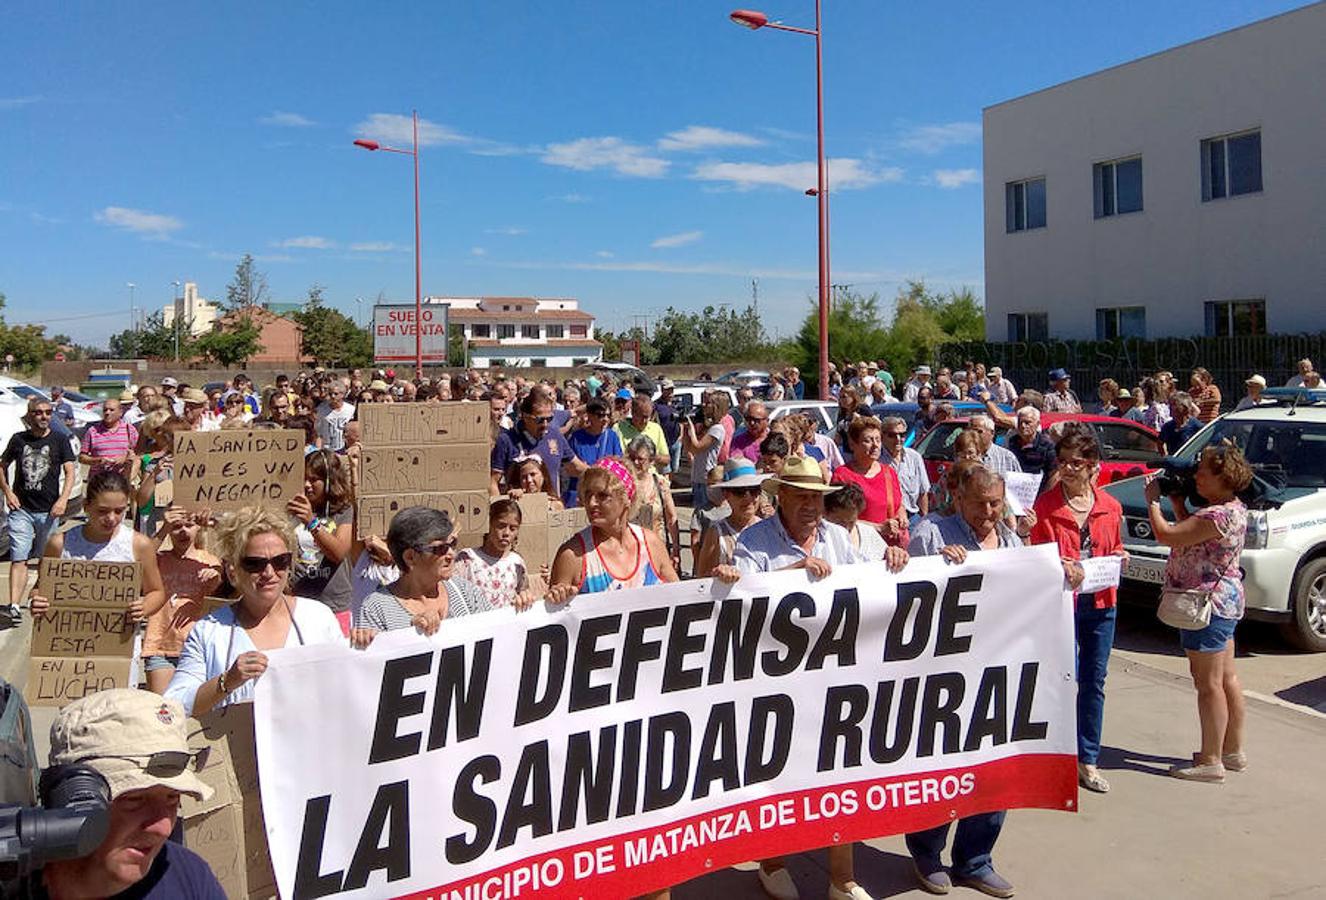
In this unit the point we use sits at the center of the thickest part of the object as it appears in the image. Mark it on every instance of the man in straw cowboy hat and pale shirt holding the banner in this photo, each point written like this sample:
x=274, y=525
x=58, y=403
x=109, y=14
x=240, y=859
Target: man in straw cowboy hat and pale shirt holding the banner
x=800, y=537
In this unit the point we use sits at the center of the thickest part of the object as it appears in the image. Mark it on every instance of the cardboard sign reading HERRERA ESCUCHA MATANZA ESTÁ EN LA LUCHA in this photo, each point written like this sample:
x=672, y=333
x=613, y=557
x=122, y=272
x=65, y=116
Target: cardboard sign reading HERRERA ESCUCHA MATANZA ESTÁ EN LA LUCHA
x=86, y=642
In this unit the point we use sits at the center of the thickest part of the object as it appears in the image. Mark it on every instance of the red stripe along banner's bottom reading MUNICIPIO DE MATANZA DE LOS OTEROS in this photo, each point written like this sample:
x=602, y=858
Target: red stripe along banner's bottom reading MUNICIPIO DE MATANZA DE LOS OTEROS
x=776, y=826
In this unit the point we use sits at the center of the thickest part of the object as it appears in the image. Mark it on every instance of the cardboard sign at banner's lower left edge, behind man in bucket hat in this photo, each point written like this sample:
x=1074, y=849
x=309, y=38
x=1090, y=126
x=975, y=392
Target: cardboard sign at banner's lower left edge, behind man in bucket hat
x=227, y=830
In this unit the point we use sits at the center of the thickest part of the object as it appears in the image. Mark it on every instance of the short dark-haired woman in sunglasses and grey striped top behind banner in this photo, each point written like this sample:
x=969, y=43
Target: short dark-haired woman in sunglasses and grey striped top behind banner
x=424, y=547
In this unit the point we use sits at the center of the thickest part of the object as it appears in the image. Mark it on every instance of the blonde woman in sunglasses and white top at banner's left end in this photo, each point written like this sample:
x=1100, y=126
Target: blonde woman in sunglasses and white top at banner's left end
x=226, y=653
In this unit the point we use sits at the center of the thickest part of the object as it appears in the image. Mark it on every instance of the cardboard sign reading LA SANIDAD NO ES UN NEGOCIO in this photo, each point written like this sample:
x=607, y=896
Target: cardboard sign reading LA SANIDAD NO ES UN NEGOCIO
x=229, y=470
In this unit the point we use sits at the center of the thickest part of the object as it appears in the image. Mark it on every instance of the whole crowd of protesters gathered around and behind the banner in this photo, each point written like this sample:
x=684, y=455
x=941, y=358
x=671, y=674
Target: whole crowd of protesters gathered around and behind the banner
x=766, y=494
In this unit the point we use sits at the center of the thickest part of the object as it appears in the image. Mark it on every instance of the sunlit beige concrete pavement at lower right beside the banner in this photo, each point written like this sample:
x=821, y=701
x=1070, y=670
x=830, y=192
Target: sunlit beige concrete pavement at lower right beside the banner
x=1258, y=836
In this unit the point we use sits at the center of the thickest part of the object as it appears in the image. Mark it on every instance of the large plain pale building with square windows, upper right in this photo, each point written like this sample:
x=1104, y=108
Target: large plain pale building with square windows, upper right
x=1177, y=196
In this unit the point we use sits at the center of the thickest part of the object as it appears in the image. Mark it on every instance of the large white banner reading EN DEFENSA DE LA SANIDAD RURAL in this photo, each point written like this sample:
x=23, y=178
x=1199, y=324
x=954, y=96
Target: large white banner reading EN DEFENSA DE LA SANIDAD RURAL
x=638, y=739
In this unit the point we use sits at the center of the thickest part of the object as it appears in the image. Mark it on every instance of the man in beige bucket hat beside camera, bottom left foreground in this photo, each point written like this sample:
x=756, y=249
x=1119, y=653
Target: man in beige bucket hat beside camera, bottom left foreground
x=139, y=742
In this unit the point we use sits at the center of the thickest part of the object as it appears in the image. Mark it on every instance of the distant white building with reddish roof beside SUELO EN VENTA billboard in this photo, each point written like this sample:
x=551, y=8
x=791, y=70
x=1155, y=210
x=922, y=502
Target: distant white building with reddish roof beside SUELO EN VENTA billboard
x=524, y=331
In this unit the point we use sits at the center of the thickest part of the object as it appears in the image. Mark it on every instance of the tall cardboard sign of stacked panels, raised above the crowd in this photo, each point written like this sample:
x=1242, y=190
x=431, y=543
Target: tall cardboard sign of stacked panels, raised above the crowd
x=425, y=455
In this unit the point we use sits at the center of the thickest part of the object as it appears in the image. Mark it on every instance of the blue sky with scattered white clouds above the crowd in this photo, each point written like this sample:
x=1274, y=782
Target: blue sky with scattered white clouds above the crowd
x=632, y=154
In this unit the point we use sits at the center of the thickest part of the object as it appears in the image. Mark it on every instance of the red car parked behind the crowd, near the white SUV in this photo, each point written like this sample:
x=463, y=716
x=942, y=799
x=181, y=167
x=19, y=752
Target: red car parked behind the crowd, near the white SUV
x=1128, y=449
